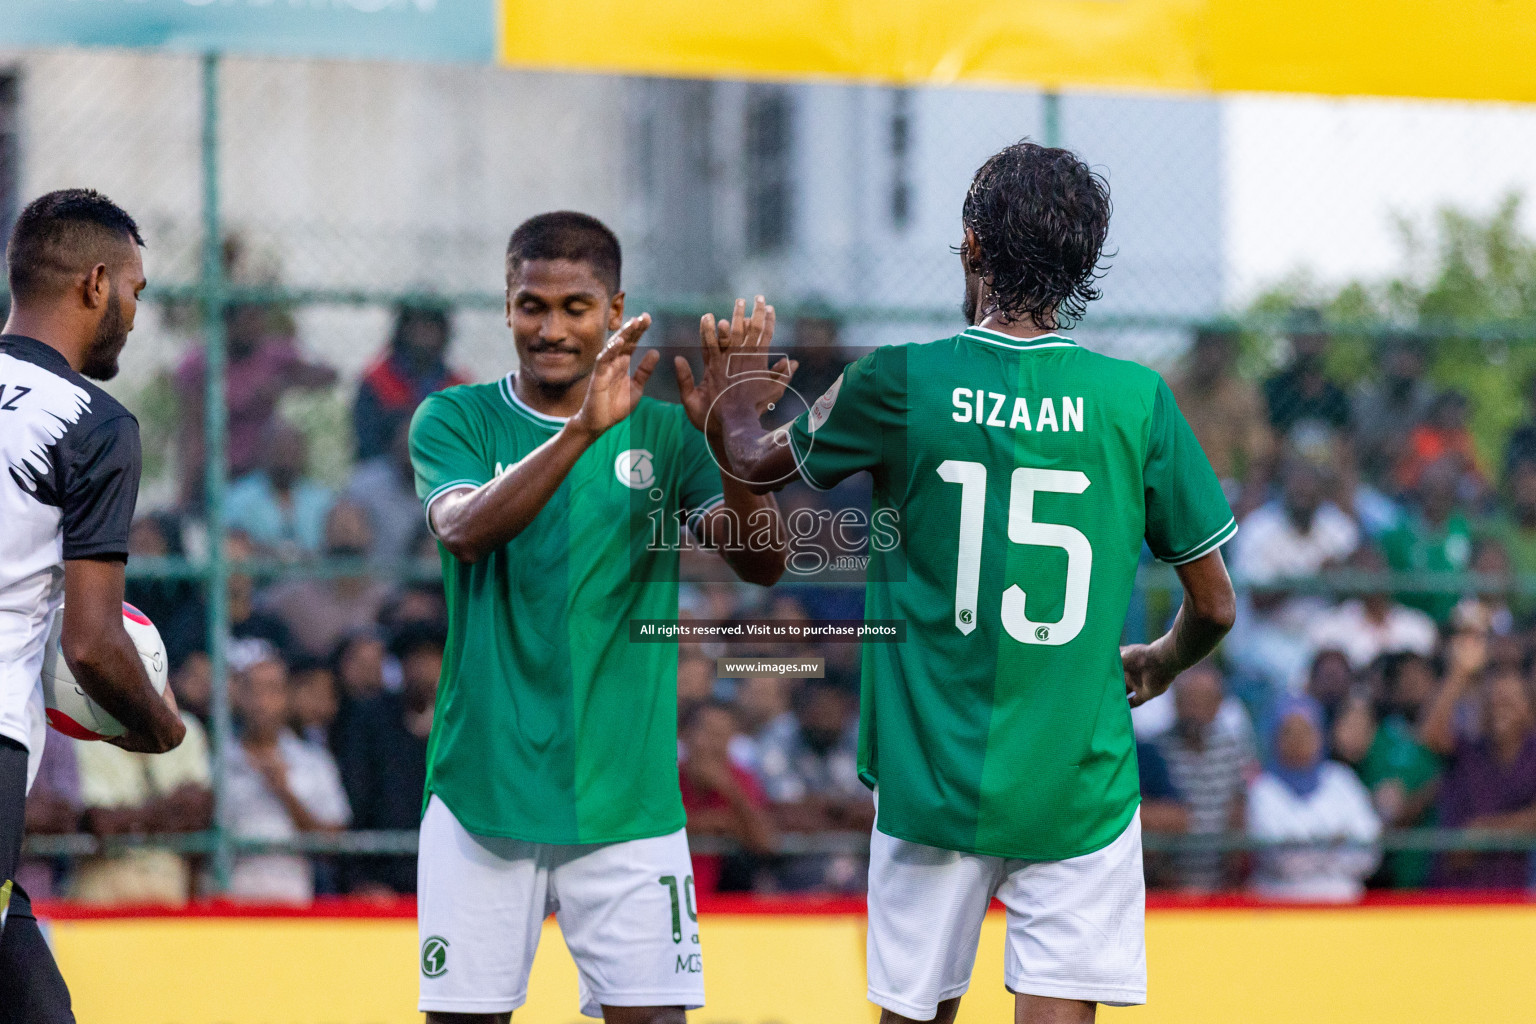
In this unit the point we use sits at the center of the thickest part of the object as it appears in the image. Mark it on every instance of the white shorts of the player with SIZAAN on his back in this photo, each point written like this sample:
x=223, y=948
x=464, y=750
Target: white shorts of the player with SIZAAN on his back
x=1076, y=928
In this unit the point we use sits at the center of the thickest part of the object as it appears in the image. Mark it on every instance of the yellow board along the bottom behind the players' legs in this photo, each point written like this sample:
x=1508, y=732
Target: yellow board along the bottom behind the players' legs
x=1392, y=965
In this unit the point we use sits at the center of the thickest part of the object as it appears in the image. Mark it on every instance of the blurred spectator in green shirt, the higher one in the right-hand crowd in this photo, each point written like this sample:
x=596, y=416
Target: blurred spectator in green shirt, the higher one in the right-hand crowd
x=1435, y=537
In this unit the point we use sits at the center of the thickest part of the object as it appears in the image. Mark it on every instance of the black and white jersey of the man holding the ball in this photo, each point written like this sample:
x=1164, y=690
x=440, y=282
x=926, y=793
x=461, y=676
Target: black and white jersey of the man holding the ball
x=70, y=467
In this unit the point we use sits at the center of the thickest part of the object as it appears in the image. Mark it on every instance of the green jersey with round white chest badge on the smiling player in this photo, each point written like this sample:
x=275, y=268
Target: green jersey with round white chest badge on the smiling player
x=551, y=725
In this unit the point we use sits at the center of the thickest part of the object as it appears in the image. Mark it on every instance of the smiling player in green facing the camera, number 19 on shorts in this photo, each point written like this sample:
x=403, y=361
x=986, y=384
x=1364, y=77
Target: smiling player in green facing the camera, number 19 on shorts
x=552, y=779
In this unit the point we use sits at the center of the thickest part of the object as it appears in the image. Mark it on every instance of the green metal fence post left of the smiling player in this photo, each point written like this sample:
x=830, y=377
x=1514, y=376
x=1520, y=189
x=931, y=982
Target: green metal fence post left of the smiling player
x=211, y=288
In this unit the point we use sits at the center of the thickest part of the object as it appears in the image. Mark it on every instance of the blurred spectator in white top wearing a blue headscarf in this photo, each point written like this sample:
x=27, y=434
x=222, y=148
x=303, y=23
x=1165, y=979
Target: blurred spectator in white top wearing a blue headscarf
x=1302, y=798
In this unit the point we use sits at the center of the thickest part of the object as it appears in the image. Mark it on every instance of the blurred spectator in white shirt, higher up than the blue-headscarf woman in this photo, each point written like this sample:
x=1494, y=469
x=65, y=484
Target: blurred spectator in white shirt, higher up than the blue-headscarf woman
x=1296, y=537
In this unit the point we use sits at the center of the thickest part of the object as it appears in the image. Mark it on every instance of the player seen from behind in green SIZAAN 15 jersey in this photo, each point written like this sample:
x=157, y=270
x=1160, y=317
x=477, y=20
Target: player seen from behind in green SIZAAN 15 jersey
x=1025, y=474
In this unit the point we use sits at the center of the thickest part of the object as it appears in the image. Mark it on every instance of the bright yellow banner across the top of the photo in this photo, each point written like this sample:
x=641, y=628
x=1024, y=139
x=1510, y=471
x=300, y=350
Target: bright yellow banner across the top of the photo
x=1472, y=50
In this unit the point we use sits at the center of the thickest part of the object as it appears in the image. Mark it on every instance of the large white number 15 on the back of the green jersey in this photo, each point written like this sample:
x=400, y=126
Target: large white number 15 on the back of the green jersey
x=1022, y=529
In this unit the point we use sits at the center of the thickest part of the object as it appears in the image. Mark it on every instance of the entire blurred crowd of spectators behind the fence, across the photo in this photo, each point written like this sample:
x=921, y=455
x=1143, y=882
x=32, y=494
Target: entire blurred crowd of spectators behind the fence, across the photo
x=1323, y=721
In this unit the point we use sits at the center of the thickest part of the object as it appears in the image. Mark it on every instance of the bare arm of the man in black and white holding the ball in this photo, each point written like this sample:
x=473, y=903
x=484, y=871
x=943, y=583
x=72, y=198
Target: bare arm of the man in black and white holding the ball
x=105, y=661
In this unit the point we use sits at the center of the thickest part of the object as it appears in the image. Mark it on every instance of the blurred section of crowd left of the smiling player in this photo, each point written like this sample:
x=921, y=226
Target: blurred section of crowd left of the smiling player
x=333, y=675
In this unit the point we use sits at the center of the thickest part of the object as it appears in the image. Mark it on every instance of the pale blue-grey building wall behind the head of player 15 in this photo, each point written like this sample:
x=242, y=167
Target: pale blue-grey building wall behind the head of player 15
x=849, y=248
